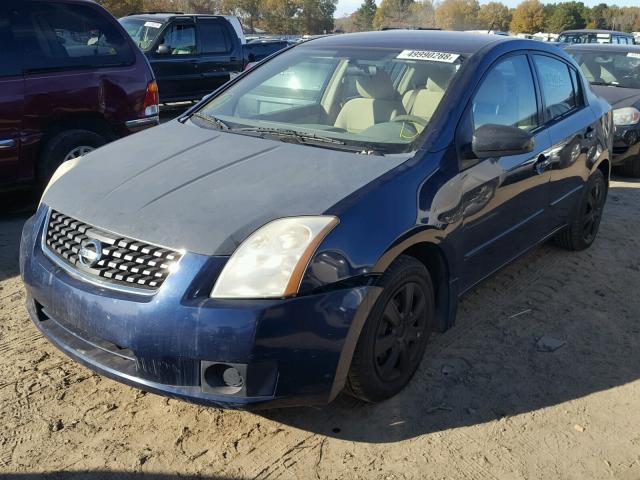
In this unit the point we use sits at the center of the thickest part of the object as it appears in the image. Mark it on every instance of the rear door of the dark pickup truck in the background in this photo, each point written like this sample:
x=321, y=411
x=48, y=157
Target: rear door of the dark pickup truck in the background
x=220, y=53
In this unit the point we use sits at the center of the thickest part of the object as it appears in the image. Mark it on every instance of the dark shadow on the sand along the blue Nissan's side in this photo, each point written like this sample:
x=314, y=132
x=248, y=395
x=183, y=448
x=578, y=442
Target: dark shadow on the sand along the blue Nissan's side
x=493, y=363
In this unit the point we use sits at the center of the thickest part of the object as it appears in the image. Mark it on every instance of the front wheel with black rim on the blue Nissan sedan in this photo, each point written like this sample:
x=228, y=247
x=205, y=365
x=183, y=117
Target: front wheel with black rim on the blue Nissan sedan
x=394, y=338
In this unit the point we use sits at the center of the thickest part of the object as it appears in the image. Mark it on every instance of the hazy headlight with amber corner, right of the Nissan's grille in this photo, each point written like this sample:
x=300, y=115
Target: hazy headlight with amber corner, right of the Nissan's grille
x=271, y=262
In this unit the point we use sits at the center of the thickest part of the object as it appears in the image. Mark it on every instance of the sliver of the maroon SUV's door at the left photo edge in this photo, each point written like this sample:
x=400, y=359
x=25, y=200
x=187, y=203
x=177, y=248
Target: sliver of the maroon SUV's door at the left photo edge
x=11, y=100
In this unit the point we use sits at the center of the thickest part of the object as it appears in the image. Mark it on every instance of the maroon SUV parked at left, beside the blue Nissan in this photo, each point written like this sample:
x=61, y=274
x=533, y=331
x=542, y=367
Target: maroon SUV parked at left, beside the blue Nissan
x=71, y=80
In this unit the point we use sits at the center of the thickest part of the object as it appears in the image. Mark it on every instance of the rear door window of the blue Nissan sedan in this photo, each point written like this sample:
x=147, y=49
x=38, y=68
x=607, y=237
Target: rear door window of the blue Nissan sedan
x=560, y=96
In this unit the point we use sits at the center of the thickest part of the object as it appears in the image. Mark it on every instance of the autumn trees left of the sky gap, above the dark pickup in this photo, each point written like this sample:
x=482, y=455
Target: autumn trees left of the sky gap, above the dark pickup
x=291, y=17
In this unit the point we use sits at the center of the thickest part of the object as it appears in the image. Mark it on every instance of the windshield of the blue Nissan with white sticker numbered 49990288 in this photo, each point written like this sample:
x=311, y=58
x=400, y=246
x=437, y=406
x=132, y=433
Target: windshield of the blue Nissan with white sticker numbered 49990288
x=375, y=100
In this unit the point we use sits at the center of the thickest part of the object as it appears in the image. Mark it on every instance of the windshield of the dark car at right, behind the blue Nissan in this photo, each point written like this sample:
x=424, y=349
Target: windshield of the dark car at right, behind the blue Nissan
x=620, y=69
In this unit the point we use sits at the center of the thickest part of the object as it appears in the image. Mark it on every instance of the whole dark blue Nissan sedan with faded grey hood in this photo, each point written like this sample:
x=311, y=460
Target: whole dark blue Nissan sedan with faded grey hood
x=288, y=237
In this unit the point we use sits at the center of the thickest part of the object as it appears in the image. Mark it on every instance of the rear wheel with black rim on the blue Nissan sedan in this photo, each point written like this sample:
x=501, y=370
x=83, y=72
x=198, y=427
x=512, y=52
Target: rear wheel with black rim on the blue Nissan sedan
x=585, y=222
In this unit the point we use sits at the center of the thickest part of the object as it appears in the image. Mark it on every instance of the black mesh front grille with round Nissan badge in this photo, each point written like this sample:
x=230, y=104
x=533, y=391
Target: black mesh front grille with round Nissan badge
x=121, y=261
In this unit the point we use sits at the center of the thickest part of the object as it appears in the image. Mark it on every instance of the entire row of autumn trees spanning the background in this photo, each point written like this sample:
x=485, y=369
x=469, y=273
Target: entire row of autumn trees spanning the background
x=298, y=17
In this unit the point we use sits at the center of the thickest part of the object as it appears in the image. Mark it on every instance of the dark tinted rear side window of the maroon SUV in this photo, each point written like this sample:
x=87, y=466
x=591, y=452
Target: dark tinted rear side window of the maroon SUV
x=69, y=36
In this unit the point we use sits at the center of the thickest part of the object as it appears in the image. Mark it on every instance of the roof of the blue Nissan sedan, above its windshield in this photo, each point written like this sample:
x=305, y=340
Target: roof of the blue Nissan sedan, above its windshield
x=443, y=41
